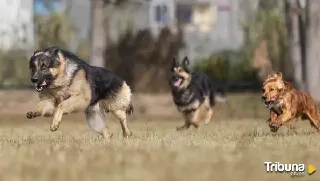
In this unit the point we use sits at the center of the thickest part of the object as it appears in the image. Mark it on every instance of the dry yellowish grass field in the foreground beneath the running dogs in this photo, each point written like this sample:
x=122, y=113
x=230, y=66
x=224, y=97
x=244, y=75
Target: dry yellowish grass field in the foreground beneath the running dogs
x=222, y=151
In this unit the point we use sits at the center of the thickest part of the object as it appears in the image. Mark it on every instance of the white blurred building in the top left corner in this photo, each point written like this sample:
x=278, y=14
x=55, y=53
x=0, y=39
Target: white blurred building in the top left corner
x=16, y=24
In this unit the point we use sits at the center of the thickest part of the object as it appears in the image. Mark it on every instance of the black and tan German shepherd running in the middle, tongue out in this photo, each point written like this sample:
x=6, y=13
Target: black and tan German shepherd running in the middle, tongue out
x=193, y=94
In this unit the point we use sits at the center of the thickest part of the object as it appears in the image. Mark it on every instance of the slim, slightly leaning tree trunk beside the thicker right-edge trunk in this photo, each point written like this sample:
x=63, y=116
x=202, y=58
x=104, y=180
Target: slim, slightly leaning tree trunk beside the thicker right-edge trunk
x=292, y=20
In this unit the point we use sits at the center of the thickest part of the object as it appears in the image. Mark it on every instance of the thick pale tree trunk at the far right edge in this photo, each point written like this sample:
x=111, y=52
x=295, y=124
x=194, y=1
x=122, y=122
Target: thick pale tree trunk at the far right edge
x=312, y=48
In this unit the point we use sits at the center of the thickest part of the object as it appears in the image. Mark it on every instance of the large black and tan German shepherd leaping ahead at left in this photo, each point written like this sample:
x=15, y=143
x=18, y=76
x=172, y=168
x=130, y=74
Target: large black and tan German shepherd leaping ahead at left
x=67, y=84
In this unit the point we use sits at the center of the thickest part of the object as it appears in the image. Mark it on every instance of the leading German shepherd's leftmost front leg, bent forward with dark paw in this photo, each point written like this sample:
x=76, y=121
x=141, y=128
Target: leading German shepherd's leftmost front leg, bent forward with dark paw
x=43, y=108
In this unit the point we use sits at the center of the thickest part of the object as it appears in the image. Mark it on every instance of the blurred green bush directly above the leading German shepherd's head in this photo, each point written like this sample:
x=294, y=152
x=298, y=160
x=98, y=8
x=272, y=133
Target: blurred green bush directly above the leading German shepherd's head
x=56, y=29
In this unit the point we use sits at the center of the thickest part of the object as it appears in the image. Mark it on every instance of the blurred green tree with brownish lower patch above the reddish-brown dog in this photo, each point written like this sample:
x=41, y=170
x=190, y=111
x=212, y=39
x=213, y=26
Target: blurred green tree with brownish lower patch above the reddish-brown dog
x=265, y=39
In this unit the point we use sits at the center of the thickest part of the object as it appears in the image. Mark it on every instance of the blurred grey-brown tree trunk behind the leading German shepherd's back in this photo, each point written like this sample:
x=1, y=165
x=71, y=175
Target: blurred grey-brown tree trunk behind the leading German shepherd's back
x=98, y=33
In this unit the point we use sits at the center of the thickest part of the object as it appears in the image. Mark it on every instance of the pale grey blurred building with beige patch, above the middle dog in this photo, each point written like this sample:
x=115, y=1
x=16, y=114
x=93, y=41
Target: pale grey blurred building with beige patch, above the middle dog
x=209, y=26
